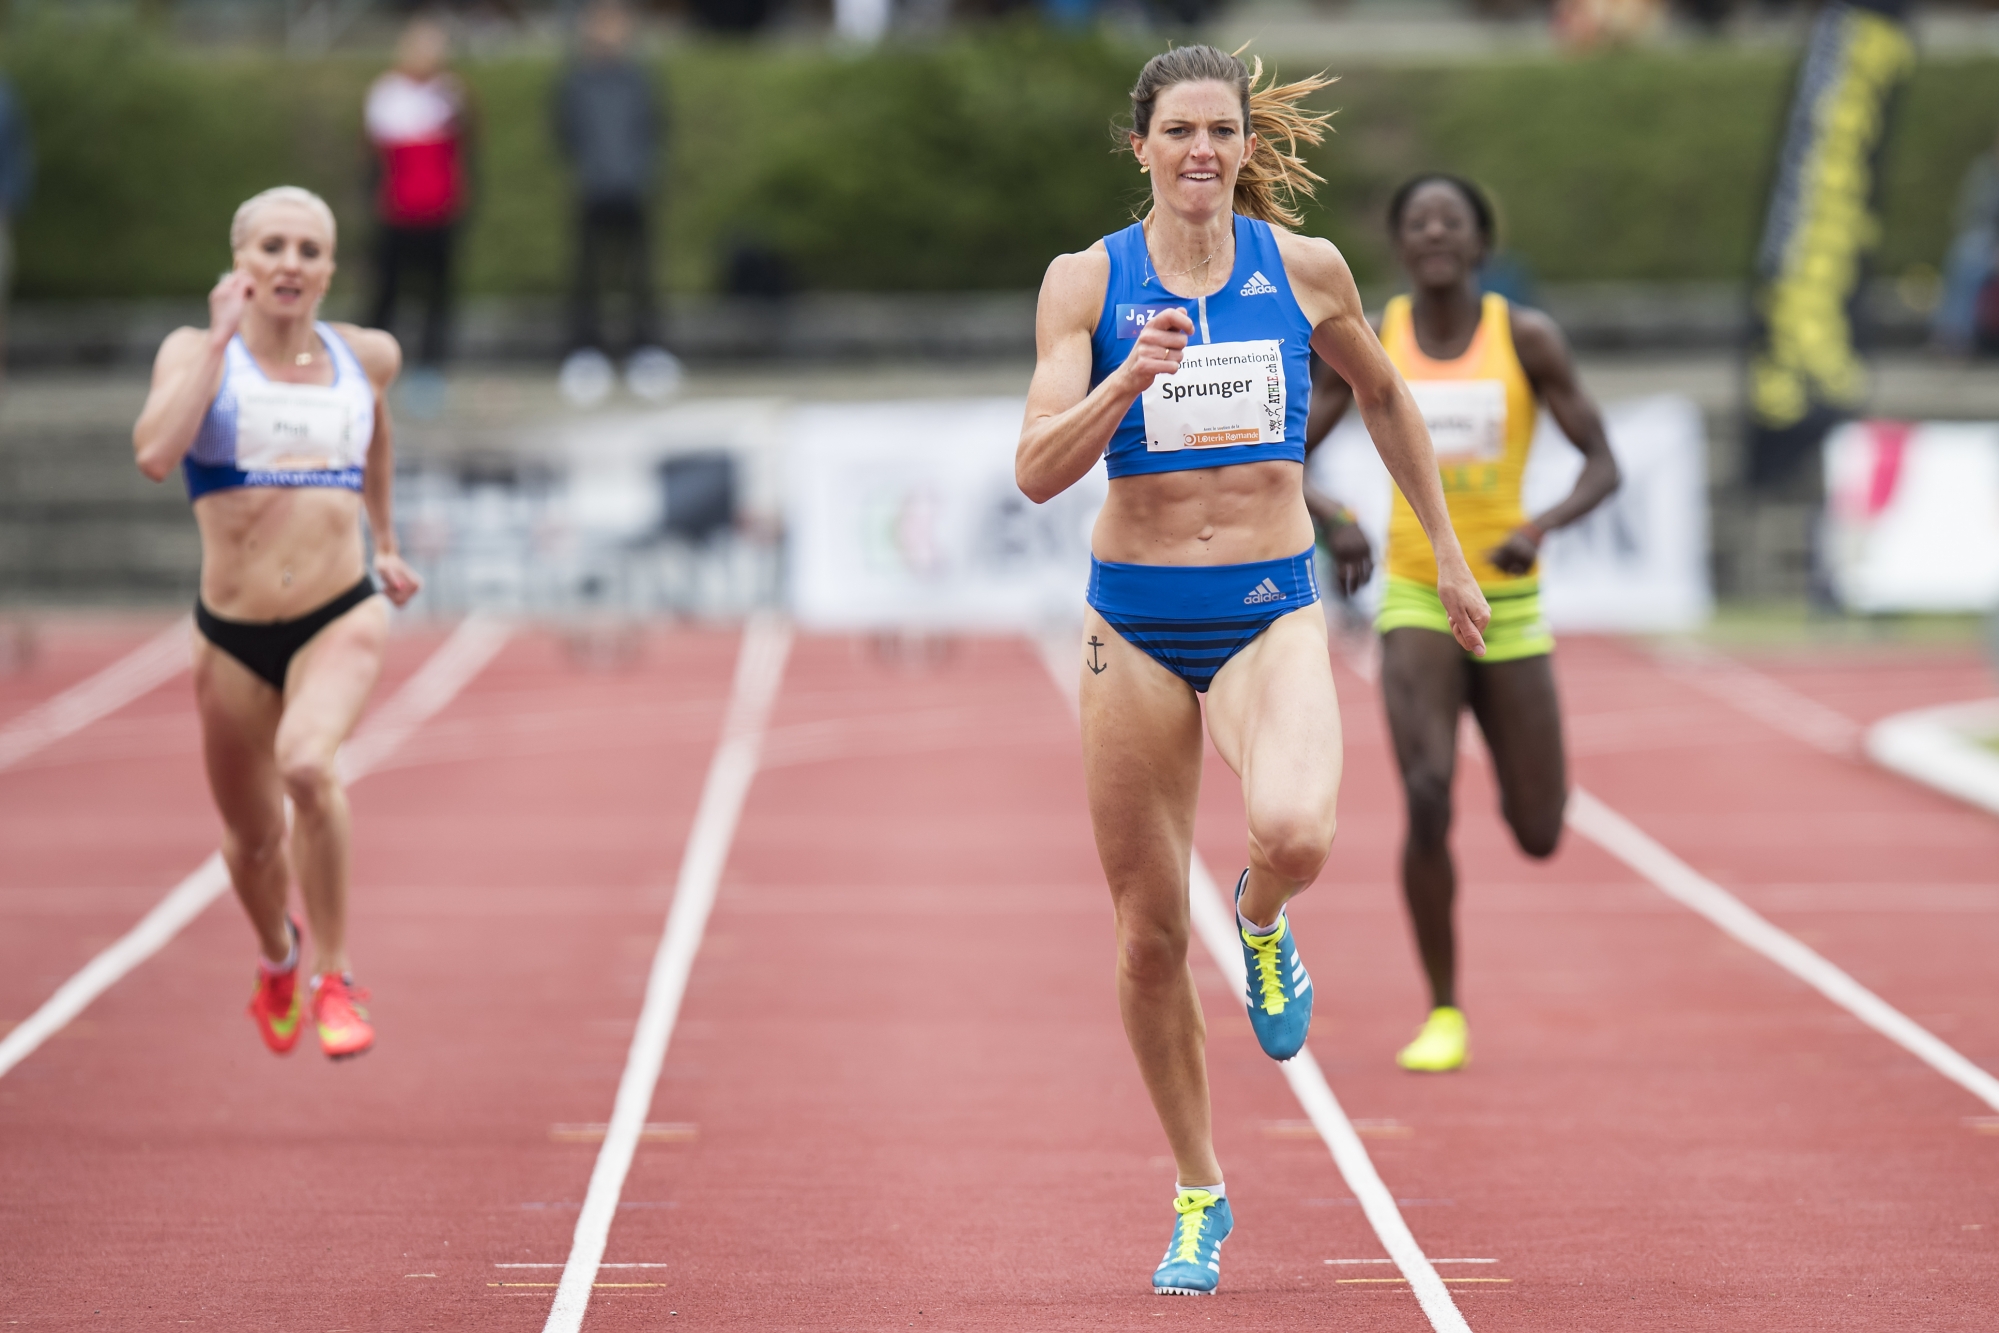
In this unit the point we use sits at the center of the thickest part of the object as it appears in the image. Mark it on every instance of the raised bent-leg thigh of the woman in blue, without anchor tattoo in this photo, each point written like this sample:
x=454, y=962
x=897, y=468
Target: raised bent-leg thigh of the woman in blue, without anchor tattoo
x=1274, y=716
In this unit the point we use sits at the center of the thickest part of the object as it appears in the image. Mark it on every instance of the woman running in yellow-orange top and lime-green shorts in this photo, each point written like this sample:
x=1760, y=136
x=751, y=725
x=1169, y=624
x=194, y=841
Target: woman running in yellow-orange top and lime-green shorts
x=1478, y=369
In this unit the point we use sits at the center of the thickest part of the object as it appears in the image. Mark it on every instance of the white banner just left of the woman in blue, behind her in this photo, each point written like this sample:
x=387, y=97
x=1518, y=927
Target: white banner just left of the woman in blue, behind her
x=905, y=515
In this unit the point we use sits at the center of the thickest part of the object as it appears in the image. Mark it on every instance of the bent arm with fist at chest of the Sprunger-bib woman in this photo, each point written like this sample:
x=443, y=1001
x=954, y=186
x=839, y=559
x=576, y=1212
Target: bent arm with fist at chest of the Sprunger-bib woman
x=1068, y=423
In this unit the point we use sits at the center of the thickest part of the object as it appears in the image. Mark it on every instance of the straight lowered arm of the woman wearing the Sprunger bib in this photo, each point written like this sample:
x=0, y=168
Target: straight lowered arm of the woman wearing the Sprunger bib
x=1340, y=335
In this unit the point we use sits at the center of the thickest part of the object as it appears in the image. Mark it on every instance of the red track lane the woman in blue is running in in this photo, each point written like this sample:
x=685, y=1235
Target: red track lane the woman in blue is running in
x=901, y=1050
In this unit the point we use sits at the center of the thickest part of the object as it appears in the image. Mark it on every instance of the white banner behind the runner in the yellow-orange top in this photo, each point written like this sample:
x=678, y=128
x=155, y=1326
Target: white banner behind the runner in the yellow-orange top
x=1634, y=565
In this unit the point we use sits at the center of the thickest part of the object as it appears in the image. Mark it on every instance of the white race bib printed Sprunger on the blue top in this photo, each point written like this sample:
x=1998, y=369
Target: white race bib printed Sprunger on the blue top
x=1224, y=395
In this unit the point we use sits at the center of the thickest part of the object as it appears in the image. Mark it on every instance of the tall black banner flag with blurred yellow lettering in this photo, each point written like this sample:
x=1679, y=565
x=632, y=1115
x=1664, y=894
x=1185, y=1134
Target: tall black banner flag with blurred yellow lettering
x=1806, y=371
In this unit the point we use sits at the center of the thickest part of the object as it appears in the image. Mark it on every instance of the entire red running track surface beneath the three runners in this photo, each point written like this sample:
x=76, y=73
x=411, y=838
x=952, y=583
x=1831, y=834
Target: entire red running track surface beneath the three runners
x=899, y=1094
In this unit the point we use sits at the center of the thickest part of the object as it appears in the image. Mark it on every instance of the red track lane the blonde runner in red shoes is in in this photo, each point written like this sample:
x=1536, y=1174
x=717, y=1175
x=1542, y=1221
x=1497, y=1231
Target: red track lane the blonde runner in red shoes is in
x=169, y=1168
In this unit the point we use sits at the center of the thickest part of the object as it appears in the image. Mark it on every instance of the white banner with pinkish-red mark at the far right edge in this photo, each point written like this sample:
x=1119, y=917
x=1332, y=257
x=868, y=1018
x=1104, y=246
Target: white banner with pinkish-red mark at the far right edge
x=1912, y=517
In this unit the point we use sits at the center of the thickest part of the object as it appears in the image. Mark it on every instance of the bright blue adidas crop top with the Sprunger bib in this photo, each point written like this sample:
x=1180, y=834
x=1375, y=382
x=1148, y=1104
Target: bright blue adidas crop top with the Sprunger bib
x=1244, y=383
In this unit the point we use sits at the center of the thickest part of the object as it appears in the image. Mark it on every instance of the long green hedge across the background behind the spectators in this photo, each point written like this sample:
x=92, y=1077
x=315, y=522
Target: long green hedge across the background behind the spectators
x=953, y=167
